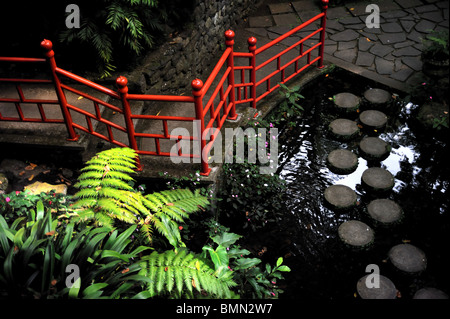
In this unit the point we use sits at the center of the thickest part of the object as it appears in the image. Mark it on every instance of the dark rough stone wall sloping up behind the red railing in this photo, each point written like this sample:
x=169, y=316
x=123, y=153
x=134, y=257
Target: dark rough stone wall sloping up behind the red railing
x=191, y=53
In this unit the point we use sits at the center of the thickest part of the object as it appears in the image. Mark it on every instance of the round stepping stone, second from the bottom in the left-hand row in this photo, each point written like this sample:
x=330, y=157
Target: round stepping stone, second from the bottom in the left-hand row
x=356, y=233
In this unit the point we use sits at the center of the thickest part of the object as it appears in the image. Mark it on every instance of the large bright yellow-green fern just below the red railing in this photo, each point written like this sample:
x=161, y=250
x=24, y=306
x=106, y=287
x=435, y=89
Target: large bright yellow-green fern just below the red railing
x=105, y=196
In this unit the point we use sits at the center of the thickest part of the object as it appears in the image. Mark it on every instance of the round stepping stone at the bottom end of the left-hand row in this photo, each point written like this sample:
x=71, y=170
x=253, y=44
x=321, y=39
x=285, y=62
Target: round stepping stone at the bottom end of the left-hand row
x=386, y=289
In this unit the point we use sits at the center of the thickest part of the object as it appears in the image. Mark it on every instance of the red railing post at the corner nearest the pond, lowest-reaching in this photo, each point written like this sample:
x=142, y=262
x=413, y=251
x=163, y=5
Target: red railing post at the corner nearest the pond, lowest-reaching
x=196, y=92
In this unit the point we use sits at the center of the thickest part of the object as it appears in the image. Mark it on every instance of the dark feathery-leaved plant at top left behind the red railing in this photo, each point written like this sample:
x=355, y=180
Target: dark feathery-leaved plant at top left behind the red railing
x=113, y=24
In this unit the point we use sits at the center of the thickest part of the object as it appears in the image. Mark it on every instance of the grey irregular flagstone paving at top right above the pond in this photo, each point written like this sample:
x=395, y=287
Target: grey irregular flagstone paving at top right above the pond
x=392, y=51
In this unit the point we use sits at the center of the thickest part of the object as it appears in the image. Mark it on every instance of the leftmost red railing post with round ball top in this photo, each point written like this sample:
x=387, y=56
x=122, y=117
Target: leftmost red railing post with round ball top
x=50, y=55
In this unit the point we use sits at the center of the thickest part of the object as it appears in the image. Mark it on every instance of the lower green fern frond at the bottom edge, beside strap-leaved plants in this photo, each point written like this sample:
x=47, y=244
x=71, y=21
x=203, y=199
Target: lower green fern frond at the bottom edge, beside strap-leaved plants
x=182, y=274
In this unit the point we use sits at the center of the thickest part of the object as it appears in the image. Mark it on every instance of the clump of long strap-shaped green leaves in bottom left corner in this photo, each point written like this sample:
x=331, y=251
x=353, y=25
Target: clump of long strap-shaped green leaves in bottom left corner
x=36, y=252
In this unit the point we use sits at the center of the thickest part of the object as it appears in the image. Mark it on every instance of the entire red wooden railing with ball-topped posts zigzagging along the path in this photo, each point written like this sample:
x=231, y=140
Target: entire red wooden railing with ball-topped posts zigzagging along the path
x=209, y=113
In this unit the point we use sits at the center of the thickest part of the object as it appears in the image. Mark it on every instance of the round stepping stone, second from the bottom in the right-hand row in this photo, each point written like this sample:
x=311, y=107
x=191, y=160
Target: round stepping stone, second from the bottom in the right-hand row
x=408, y=258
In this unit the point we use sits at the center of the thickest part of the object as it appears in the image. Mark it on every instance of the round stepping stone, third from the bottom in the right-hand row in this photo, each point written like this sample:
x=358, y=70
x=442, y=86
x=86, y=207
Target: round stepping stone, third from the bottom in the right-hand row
x=385, y=211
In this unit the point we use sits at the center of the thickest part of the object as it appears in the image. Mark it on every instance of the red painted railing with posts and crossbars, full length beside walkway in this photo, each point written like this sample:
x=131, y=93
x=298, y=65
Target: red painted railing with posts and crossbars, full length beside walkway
x=211, y=103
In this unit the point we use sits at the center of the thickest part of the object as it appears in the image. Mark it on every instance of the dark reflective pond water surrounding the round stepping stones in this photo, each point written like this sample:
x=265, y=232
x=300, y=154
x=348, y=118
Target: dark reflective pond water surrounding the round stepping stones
x=322, y=267
